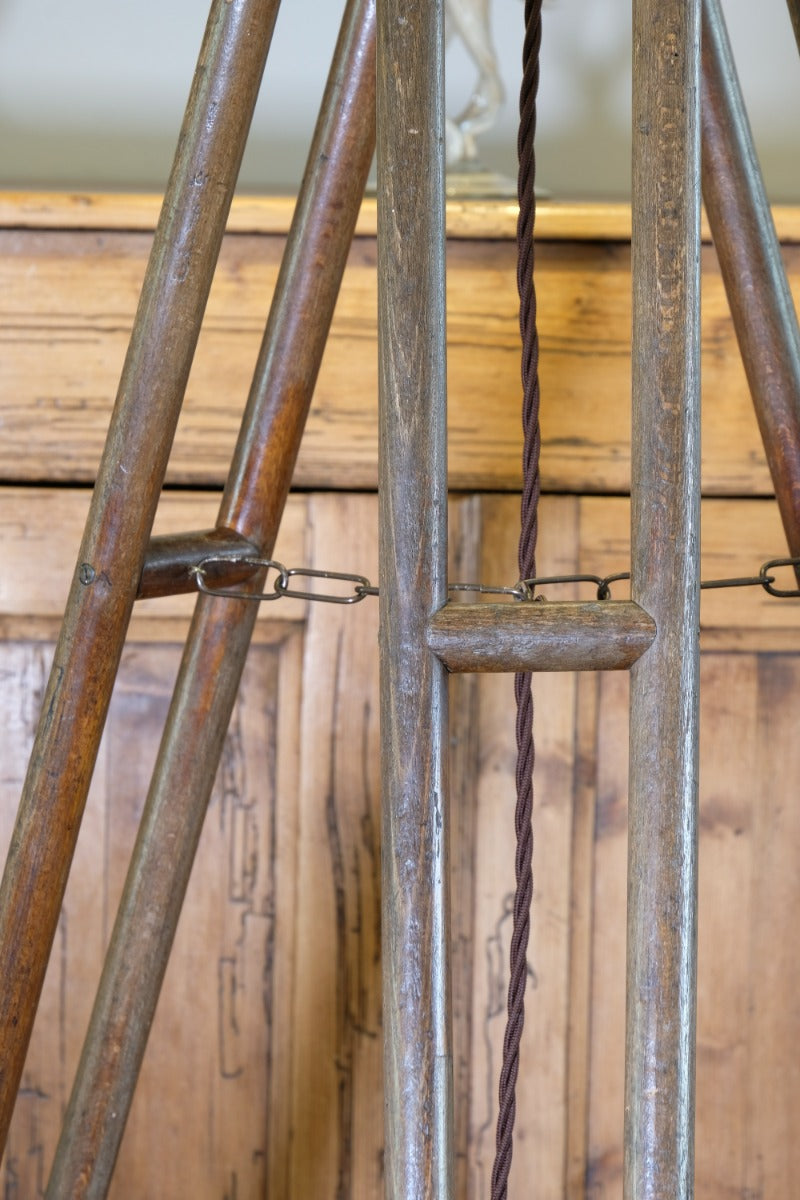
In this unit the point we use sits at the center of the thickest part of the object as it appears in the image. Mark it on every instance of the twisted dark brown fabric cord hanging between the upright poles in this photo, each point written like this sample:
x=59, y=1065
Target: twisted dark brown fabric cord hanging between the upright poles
x=530, y=529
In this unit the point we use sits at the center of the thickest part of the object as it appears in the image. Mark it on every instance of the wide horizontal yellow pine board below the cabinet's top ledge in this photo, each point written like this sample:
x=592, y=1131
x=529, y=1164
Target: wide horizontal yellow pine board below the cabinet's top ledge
x=68, y=303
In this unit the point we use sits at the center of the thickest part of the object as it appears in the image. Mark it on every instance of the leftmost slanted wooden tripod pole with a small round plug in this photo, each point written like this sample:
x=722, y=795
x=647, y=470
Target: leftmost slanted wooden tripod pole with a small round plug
x=125, y=499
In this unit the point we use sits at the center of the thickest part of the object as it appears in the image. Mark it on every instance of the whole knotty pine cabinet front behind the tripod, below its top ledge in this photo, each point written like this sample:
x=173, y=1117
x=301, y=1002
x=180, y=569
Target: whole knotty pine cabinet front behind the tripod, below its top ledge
x=263, y=1075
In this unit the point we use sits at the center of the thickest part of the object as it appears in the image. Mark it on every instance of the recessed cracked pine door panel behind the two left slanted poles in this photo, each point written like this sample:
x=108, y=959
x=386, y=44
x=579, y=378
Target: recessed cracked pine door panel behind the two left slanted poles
x=210, y=1117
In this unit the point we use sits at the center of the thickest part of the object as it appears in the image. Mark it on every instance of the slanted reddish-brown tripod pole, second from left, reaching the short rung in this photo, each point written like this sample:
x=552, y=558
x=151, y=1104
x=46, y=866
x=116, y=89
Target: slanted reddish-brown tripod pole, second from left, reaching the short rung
x=221, y=631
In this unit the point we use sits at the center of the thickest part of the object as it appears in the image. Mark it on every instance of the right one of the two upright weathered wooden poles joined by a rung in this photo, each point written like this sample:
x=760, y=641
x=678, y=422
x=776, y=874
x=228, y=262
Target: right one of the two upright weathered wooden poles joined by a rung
x=665, y=487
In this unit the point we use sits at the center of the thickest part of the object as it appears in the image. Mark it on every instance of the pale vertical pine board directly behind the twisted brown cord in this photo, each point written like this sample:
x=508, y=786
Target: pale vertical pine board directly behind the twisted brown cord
x=543, y=1089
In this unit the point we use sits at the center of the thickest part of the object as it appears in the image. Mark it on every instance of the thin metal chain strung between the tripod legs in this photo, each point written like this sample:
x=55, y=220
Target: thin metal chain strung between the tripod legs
x=524, y=590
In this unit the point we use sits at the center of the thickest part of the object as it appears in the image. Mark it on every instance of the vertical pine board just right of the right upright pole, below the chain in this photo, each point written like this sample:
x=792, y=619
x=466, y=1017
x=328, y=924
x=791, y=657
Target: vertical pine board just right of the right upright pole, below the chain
x=730, y=802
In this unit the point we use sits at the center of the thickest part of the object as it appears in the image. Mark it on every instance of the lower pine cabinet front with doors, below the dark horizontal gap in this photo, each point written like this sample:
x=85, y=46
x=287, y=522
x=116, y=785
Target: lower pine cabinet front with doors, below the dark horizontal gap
x=290, y=904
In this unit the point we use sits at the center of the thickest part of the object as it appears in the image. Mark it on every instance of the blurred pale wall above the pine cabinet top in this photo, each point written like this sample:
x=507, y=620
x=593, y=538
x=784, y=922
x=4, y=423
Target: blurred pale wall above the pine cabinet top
x=92, y=95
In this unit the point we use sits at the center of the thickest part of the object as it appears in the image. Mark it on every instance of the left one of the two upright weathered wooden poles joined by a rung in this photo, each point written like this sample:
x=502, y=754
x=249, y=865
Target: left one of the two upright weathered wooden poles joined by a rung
x=413, y=495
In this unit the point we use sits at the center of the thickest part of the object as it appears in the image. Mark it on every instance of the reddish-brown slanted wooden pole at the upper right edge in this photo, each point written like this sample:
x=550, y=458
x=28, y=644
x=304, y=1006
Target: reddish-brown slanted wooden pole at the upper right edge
x=753, y=269
